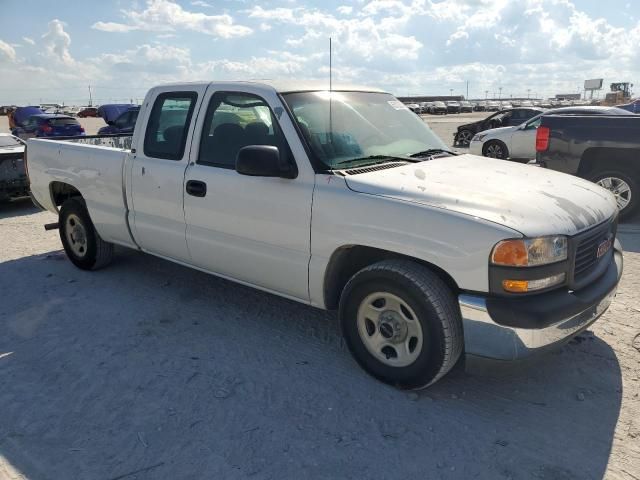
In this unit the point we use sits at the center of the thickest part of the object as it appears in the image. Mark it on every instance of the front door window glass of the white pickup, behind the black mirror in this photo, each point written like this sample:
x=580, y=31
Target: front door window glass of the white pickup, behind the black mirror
x=236, y=120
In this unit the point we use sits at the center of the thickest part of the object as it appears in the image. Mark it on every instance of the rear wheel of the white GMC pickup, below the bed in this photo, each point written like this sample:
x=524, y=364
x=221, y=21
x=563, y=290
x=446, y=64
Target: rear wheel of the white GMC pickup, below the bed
x=96, y=253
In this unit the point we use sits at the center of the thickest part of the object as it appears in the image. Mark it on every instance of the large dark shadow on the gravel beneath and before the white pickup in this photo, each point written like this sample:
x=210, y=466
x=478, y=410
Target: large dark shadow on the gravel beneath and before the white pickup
x=157, y=371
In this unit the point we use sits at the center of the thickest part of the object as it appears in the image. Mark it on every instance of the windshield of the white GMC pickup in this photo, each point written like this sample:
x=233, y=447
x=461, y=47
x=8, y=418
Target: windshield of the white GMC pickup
x=361, y=125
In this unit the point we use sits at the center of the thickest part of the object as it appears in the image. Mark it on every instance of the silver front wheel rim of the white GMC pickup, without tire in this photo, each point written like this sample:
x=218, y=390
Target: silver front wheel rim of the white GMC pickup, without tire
x=390, y=329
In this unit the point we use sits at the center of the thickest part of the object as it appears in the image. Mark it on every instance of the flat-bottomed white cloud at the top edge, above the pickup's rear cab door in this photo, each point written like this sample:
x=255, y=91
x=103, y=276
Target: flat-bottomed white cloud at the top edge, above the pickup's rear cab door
x=166, y=15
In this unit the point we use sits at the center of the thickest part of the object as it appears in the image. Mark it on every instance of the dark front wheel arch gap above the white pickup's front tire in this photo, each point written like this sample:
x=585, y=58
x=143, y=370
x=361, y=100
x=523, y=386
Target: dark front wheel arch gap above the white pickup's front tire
x=349, y=259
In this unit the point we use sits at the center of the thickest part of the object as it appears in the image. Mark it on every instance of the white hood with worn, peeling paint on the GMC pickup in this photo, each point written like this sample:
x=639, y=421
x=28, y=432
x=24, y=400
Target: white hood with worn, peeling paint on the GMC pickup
x=532, y=200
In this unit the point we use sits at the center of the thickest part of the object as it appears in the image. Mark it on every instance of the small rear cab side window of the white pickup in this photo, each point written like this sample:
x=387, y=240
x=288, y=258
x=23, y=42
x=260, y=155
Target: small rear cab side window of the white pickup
x=168, y=125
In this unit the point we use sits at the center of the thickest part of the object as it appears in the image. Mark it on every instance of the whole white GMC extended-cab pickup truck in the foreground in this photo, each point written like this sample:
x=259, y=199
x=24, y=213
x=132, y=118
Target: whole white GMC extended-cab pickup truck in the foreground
x=343, y=199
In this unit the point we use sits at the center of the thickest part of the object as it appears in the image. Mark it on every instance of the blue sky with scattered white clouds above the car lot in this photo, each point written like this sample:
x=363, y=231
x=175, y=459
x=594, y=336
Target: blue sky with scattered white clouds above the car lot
x=51, y=51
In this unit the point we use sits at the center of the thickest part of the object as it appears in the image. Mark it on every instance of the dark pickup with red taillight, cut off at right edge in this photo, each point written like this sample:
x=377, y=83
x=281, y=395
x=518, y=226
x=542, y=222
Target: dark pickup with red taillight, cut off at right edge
x=603, y=149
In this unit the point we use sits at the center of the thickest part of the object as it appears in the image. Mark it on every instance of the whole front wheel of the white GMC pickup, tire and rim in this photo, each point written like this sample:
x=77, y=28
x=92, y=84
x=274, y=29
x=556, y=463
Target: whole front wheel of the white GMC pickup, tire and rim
x=402, y=323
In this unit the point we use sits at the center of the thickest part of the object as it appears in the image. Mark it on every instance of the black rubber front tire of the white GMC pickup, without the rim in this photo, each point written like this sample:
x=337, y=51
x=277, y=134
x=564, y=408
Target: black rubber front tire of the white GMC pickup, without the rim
x=437, y=311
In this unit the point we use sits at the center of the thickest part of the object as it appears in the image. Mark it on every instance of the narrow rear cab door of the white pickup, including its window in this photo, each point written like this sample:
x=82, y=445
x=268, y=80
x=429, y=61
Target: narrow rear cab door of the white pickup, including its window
x=161, y=155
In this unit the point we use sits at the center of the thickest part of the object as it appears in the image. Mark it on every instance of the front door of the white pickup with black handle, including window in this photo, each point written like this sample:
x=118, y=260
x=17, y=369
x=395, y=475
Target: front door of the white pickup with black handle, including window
x=251, y=229
